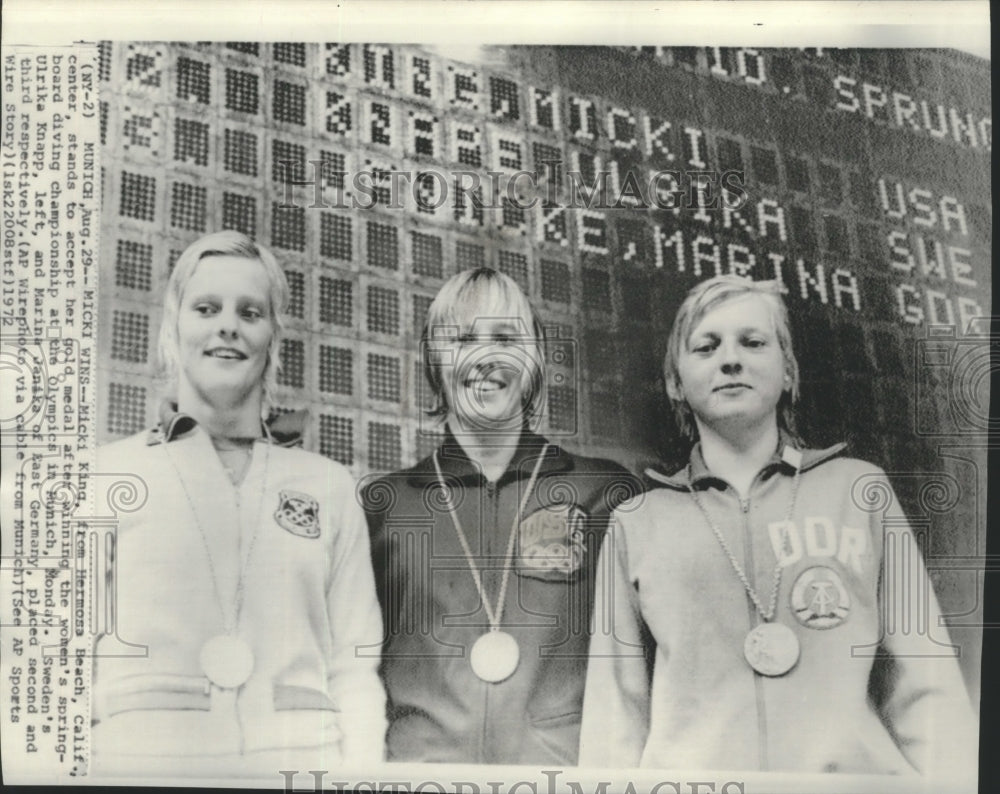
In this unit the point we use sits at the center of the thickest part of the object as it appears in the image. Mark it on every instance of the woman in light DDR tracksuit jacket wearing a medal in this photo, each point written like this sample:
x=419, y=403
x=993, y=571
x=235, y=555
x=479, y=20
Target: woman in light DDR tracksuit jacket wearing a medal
x=749, y=610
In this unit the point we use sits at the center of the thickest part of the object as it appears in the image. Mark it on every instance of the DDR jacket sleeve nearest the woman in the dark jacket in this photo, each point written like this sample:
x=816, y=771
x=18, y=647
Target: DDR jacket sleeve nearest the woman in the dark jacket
x=616, y=705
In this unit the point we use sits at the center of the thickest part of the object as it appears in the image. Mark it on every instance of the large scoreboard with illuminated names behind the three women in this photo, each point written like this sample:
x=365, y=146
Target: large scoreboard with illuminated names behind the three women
x=605, y=181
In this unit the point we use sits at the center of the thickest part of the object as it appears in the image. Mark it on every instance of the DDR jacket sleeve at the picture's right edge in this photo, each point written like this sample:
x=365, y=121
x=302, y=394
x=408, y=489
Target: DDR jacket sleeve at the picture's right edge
x=923, y=700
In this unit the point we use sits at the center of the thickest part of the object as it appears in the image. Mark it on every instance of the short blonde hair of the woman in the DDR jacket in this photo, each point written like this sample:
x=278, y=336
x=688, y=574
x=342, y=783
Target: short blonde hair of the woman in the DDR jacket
x=704, y=297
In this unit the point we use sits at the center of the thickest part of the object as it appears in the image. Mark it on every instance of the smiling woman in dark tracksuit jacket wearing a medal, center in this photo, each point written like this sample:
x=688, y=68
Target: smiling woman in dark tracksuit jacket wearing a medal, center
x=484, y=552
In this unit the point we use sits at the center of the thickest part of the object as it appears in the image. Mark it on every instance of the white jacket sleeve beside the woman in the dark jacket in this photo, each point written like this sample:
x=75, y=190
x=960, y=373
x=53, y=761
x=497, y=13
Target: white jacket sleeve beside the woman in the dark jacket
x=356, y=626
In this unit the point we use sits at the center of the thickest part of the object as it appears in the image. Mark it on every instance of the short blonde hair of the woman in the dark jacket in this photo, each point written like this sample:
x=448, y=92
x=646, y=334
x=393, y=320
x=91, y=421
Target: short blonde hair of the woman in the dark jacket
x=483, y=292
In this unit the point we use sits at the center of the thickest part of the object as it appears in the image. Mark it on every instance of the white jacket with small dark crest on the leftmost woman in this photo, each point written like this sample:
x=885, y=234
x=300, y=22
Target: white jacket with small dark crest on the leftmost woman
x=309, y=608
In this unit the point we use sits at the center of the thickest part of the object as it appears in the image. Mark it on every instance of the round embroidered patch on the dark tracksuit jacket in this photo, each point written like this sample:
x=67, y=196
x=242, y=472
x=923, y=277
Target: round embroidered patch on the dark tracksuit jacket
x=552, y=540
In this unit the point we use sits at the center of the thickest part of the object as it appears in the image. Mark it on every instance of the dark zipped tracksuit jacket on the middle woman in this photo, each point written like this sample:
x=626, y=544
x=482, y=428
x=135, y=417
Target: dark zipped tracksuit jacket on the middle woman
x=438, y=709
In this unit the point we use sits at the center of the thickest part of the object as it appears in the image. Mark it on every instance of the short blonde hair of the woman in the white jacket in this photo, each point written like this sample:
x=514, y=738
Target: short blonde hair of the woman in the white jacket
x=226, y=243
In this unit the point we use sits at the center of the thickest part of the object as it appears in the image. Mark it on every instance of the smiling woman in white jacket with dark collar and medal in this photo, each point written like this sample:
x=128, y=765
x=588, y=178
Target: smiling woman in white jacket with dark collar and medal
x=245, y=577
